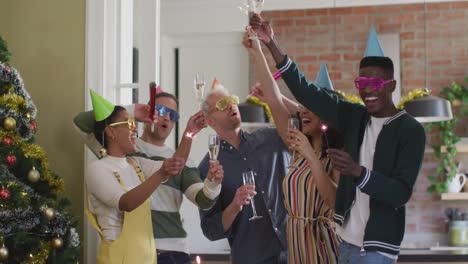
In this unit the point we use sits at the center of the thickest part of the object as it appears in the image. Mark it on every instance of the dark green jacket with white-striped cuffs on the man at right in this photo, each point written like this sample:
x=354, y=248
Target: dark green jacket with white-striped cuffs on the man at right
x=398, y=156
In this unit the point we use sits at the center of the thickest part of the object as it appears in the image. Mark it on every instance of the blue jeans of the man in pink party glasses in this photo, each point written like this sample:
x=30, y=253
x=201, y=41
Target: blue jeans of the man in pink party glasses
x=352, y=254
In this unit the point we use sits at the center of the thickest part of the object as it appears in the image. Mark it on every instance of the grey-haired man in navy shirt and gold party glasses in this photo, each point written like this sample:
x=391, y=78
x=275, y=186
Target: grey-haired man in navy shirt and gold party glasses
x=263, y=152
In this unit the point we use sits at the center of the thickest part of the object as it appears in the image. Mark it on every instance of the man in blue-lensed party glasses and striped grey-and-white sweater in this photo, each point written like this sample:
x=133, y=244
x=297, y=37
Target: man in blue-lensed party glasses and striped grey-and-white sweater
x=169, y=234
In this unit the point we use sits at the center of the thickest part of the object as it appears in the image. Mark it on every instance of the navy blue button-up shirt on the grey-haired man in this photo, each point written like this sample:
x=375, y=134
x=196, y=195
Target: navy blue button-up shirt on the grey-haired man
x=258, y=241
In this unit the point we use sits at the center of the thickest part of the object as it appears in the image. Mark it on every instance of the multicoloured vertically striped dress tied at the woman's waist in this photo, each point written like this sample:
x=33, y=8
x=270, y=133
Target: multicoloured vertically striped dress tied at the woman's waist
x=310, y=233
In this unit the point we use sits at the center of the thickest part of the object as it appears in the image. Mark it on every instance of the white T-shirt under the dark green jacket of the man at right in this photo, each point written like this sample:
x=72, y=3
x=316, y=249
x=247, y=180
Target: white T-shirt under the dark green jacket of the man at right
x=352, y=231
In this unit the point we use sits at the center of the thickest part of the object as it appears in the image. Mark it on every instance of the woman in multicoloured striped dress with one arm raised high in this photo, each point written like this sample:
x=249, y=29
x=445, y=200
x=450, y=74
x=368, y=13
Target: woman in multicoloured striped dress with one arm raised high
x=310, y=188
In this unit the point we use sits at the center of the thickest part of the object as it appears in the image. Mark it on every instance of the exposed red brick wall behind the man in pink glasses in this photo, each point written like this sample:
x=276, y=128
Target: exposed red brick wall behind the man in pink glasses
x=308, y=36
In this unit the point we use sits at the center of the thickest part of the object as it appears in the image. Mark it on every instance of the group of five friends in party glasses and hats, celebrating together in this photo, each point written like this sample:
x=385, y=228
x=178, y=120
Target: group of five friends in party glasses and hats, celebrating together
x=342, y=201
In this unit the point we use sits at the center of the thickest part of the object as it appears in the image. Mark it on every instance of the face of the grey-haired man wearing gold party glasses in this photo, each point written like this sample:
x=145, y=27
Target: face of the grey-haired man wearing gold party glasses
x=228, y=119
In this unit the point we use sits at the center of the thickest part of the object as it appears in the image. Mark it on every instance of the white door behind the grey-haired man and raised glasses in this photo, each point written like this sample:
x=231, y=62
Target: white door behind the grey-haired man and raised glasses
x=218, y=55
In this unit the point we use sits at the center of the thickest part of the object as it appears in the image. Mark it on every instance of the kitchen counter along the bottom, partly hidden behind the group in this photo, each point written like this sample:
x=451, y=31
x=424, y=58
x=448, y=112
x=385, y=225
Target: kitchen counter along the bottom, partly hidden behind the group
x=406, y=256
